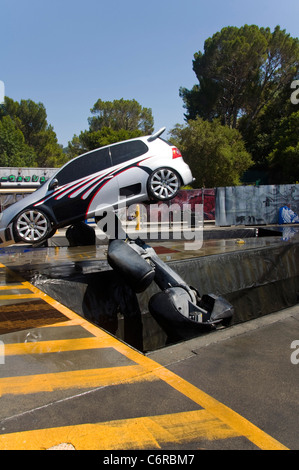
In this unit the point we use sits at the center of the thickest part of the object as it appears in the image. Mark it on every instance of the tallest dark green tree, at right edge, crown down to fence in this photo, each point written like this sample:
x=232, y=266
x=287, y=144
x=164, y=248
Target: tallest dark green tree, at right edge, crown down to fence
x=244, y=79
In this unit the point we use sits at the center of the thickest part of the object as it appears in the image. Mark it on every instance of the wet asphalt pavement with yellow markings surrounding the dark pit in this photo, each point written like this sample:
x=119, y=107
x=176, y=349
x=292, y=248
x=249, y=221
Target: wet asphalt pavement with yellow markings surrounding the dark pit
x=66, y=382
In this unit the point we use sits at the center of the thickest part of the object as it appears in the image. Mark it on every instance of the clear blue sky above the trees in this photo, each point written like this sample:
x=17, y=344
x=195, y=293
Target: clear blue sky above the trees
x=68, y=53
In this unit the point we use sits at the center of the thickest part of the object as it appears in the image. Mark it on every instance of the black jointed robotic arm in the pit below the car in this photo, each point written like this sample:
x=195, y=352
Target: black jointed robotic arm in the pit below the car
x=179, y=309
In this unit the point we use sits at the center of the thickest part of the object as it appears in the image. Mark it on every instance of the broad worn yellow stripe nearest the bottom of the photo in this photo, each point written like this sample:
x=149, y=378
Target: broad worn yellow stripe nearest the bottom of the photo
x=137, y=433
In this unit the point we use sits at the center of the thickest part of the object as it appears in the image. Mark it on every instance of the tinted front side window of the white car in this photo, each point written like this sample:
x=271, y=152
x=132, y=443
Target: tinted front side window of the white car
x=85, y=165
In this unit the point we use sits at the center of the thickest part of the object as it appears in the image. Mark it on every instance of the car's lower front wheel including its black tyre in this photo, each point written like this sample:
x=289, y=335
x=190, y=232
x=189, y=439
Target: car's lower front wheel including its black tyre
x=32, y=226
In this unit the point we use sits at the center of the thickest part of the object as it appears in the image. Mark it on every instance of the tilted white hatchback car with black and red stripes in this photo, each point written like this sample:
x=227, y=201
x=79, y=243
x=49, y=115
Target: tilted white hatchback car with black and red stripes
x=135, y=170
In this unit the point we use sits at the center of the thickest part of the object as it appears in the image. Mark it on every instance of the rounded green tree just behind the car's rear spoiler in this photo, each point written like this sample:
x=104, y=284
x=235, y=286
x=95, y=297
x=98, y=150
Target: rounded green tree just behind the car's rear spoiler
x=215, y=153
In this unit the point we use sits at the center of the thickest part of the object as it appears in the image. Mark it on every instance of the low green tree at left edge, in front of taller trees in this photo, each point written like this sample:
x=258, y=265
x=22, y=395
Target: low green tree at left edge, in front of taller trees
x=13, y=149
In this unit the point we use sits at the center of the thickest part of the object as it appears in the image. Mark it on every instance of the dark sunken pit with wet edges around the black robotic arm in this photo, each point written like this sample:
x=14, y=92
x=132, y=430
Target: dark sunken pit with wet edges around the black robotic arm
x=257, y=278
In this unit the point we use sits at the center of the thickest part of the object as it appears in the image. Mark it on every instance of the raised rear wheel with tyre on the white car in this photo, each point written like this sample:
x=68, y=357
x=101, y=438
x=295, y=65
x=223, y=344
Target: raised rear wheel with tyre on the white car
x=163, y=184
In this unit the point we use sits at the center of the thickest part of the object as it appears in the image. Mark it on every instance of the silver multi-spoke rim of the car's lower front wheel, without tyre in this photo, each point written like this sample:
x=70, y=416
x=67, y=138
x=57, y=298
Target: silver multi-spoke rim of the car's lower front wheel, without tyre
x=32, y=226
